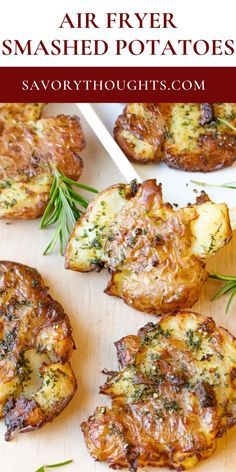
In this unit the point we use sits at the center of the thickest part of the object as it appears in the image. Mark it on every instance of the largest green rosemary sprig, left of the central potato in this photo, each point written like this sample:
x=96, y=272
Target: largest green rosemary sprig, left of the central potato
x=64, y=208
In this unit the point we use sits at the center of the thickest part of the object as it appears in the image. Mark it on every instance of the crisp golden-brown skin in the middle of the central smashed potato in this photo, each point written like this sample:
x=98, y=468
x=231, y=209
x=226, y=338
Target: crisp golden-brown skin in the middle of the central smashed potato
x=151, y=264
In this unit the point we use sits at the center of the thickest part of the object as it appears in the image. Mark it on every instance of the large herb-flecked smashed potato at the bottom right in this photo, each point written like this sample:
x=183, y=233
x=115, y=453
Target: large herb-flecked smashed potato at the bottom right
x=173, y=397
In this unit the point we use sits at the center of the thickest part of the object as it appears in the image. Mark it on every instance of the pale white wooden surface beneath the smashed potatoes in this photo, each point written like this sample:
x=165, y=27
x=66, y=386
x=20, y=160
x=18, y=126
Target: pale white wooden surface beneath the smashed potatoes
x=98, y=321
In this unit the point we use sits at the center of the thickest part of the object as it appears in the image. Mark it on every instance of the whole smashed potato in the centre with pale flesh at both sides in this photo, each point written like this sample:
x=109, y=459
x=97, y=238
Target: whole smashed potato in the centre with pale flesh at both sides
x=155, y=253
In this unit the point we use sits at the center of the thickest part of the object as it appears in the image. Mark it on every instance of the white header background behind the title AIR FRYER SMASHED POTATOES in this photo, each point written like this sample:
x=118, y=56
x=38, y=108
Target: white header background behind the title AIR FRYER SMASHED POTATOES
x=202, y=20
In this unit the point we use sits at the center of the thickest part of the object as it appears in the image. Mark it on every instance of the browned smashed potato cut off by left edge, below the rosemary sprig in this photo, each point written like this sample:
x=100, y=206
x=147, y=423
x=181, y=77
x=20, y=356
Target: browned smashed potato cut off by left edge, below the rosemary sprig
x=36, y=379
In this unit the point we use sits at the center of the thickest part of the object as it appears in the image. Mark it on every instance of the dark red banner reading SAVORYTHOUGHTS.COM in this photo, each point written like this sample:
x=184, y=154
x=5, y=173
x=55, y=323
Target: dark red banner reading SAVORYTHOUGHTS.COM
x=123, y=84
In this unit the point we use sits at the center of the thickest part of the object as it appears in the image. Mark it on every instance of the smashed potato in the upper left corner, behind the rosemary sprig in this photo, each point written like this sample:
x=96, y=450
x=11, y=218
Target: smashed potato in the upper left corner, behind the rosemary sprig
x=30, y=147
